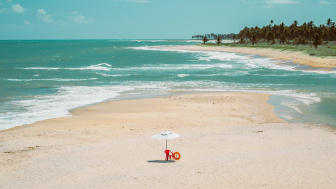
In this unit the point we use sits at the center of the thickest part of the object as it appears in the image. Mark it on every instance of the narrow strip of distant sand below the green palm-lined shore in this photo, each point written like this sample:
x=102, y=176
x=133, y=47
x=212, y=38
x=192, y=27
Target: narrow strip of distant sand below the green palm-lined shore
x=296, y=57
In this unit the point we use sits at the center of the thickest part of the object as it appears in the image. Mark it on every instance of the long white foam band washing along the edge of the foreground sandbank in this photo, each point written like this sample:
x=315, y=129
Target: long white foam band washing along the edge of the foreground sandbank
x=67, y=98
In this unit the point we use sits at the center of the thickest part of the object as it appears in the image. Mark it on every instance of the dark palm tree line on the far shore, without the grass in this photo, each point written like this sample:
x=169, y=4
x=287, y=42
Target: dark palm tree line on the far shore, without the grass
x=307, y=33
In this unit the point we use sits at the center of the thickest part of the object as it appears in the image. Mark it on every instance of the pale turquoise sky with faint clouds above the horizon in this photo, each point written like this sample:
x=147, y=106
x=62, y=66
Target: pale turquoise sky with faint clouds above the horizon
x=150, y=19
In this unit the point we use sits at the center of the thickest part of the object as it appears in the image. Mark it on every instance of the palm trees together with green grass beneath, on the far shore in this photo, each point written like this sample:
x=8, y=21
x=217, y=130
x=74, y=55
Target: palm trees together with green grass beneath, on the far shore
x=293, y=38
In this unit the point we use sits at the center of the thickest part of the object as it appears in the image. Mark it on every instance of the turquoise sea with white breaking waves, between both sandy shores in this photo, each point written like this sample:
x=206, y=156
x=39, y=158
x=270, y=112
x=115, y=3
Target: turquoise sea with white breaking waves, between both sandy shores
x=44, y=79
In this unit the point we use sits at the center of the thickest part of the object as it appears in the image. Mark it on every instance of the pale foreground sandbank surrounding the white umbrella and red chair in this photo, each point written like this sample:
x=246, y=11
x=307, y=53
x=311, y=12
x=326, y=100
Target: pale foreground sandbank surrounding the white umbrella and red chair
x=228, y=140
